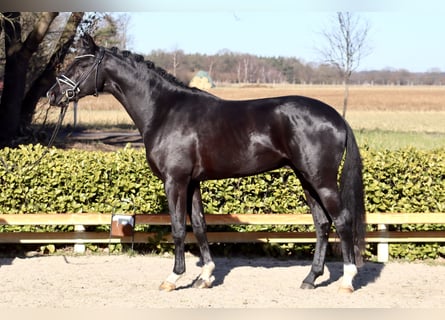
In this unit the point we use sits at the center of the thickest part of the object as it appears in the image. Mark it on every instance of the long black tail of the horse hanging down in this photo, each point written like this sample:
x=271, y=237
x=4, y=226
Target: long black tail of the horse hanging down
x=351, y=190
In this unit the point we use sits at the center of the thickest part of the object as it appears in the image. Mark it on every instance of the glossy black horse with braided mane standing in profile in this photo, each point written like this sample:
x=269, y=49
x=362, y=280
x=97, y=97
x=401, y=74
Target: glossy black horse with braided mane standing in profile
x=191, y=136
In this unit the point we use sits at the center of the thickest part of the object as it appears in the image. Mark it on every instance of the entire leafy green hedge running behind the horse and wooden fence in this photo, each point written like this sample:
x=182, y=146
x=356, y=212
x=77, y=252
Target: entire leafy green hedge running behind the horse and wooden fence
x=406, y=180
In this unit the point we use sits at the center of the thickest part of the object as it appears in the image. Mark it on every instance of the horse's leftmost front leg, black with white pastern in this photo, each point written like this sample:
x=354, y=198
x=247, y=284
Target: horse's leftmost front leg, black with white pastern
x=177, y=203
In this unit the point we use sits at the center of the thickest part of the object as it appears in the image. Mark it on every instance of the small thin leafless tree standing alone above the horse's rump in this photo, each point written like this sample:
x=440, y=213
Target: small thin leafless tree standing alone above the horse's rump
x=346, y=46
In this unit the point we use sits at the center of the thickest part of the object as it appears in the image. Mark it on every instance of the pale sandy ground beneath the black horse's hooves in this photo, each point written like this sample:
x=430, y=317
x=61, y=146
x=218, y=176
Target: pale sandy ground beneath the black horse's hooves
x=132, y=282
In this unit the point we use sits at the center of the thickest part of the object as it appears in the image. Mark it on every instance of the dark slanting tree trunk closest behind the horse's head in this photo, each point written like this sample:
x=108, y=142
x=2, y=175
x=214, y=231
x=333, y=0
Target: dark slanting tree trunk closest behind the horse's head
x=47, y=78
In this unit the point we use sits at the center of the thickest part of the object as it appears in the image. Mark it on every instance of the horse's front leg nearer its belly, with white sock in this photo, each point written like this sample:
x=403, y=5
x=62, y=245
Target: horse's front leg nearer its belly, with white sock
x=205, y=280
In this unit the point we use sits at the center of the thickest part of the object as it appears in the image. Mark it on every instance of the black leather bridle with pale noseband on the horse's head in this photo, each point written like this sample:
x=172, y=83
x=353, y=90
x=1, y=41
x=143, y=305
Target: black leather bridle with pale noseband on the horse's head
x=73, y=87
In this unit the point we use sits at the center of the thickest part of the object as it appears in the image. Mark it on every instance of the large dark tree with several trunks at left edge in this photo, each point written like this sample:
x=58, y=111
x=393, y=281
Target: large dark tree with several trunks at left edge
x=29, y=70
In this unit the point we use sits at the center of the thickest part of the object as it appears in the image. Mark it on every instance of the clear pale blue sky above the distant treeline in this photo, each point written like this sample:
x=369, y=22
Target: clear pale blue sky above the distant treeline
x=400, y=37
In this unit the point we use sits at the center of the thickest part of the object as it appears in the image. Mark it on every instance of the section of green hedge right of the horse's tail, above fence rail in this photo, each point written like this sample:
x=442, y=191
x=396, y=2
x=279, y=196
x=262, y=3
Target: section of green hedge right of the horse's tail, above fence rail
x=406, y=180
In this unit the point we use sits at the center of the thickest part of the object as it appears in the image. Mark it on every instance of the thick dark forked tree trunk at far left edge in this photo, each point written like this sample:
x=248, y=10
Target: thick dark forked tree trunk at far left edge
x=18, y=55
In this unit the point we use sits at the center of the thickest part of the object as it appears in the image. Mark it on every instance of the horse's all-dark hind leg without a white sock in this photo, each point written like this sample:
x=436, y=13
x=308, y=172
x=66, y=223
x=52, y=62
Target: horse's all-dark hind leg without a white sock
x=322, y=228
